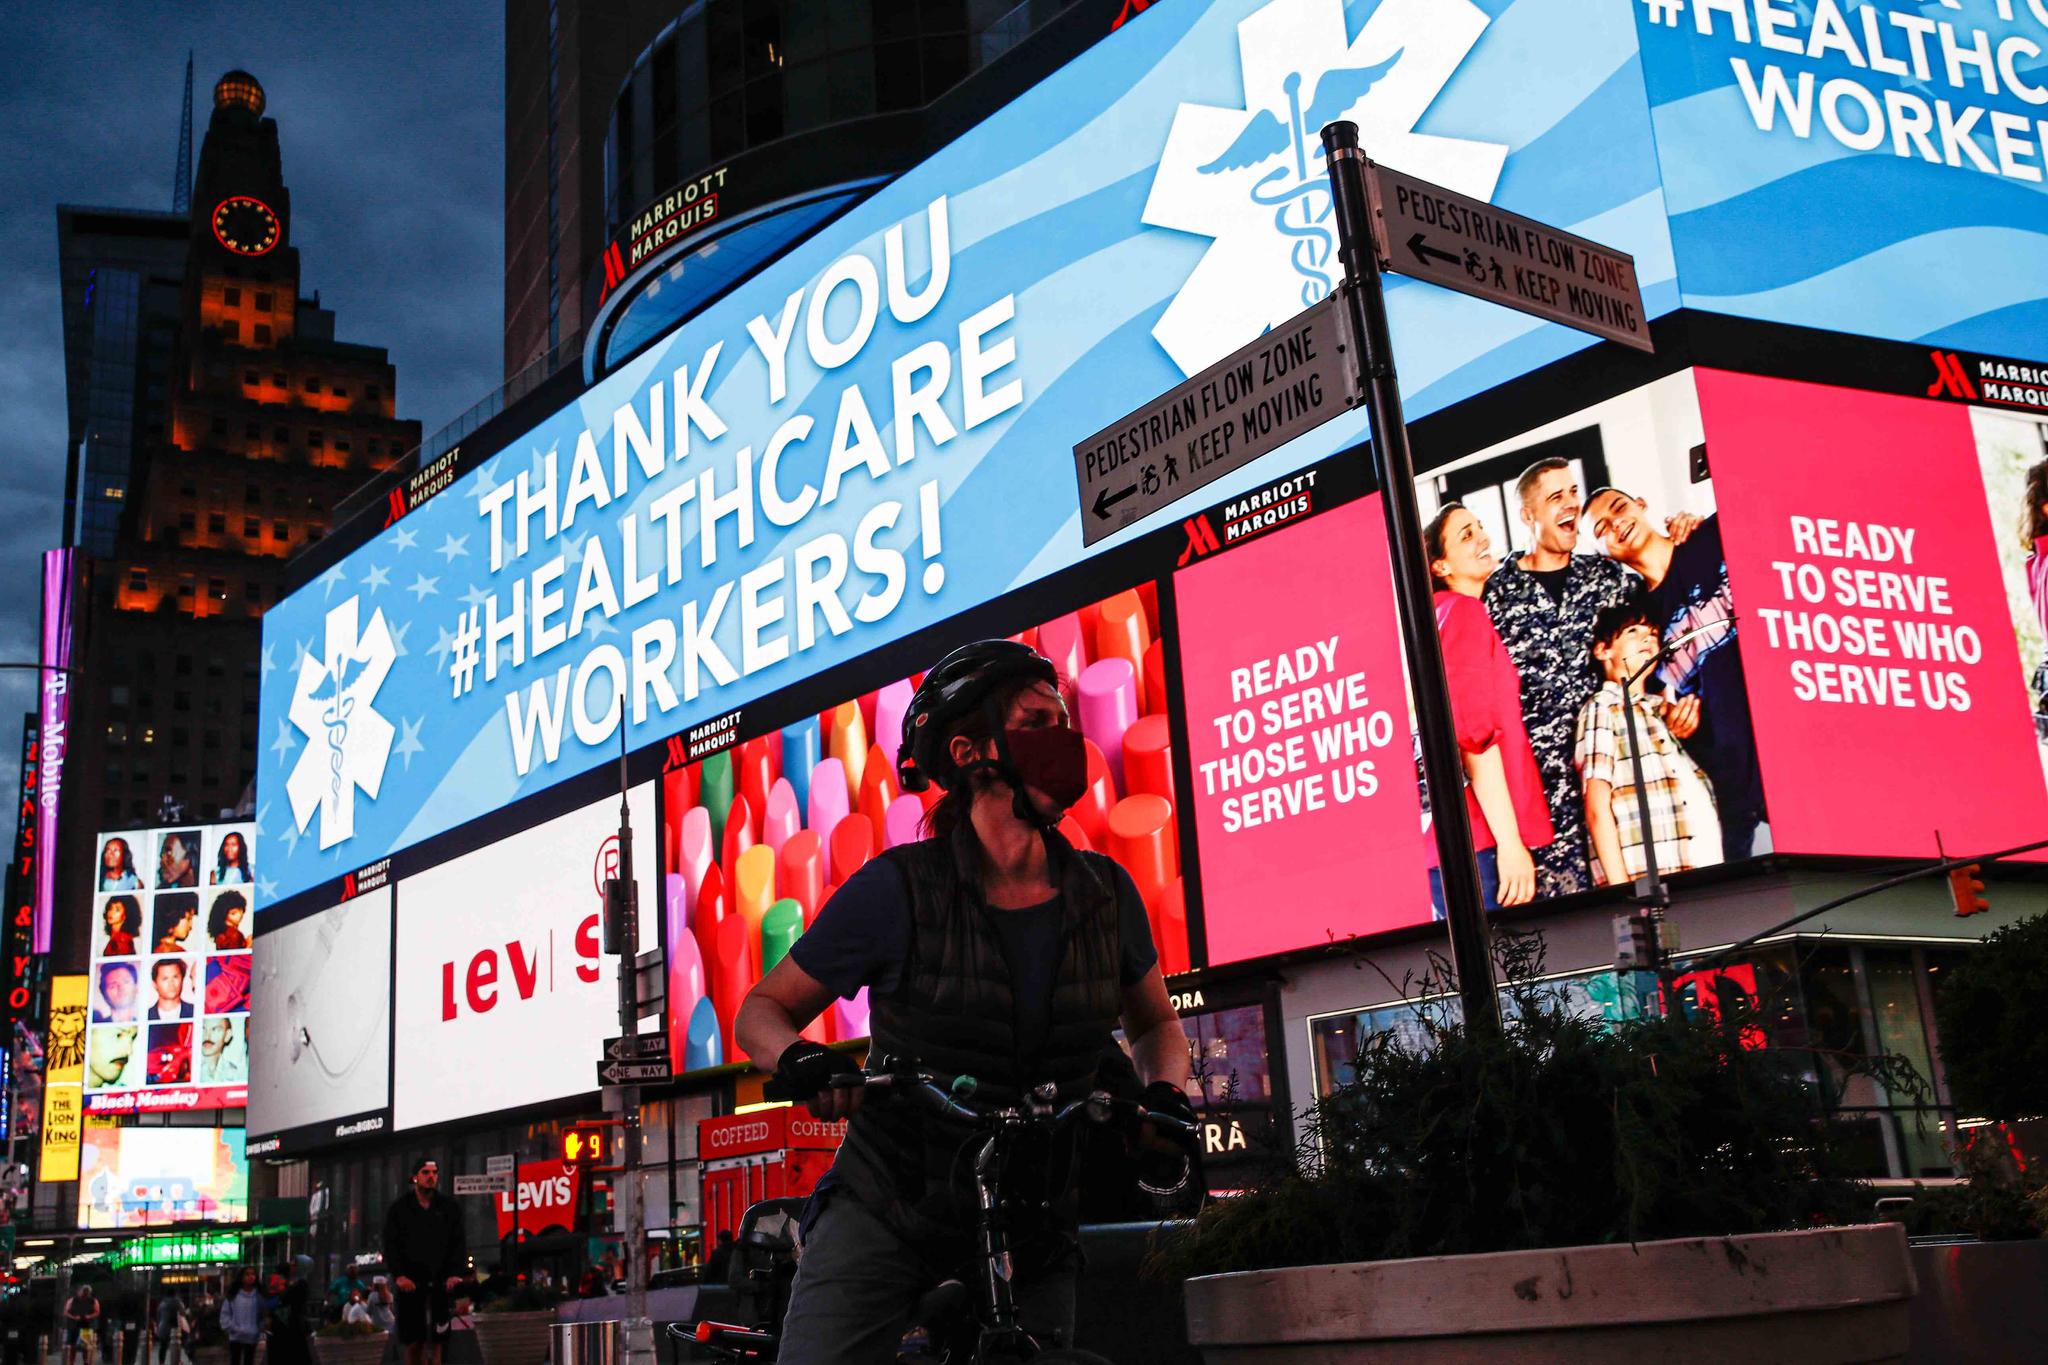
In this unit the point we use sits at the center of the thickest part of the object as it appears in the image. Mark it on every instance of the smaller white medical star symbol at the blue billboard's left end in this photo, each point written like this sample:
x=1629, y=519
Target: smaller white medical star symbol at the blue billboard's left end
x=347, y=742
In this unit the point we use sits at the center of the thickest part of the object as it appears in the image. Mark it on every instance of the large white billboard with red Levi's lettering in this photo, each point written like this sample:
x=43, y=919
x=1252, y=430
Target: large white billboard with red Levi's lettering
x=505, y=996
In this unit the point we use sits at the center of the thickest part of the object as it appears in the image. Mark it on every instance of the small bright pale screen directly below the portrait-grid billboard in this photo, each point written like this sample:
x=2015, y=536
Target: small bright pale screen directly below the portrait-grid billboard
x=155, y=1178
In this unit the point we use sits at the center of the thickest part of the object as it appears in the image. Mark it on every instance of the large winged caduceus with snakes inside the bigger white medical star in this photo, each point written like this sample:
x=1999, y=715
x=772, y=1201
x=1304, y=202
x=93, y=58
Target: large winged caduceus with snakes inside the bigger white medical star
x=1302, y=206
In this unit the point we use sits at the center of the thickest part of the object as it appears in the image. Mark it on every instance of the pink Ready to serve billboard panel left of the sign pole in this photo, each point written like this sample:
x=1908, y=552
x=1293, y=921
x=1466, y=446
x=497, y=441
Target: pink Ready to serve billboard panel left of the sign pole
x=1306, y=797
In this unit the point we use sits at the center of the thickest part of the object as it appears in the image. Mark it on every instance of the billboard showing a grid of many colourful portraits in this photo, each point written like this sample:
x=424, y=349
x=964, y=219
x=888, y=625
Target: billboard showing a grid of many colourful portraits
x=175, y=914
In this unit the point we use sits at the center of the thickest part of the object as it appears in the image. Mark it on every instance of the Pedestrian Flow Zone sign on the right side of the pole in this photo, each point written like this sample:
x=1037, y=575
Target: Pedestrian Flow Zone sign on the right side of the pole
x=1445, y=238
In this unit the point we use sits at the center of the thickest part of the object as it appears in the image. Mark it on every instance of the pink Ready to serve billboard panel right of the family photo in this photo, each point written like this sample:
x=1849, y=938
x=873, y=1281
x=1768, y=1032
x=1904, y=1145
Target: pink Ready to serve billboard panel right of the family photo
x=1889, y=691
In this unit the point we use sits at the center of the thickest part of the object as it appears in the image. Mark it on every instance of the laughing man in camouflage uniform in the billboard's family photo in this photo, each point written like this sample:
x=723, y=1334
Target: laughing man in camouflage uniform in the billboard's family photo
x=1545, y=605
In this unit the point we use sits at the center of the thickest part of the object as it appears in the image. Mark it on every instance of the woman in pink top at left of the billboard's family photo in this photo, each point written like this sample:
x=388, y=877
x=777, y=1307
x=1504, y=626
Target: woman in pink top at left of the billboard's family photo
x=1504, y=787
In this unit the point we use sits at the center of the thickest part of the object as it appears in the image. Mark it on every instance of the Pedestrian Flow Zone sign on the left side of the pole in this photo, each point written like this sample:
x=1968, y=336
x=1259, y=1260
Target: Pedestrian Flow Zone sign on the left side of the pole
x=1289, y=382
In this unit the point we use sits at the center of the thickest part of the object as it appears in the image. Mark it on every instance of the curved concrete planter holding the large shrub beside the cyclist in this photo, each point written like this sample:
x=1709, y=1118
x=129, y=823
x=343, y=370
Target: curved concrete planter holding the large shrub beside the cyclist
x=1834, y=1294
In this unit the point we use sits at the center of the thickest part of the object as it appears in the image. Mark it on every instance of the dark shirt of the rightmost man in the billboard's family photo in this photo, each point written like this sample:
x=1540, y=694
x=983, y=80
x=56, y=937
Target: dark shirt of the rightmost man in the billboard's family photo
x=1695, y=595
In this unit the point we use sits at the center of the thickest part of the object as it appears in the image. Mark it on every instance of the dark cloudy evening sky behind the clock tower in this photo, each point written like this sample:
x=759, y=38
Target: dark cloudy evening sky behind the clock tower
x=392, y=124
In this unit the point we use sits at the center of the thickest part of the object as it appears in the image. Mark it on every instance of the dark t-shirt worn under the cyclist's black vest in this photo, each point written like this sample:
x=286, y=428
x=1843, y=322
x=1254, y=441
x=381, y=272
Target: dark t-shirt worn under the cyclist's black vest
x=863, y=936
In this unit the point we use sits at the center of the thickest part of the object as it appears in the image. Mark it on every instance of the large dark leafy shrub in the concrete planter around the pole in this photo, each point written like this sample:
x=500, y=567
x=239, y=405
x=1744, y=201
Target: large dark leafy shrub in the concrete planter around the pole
x=1560, y=1133
